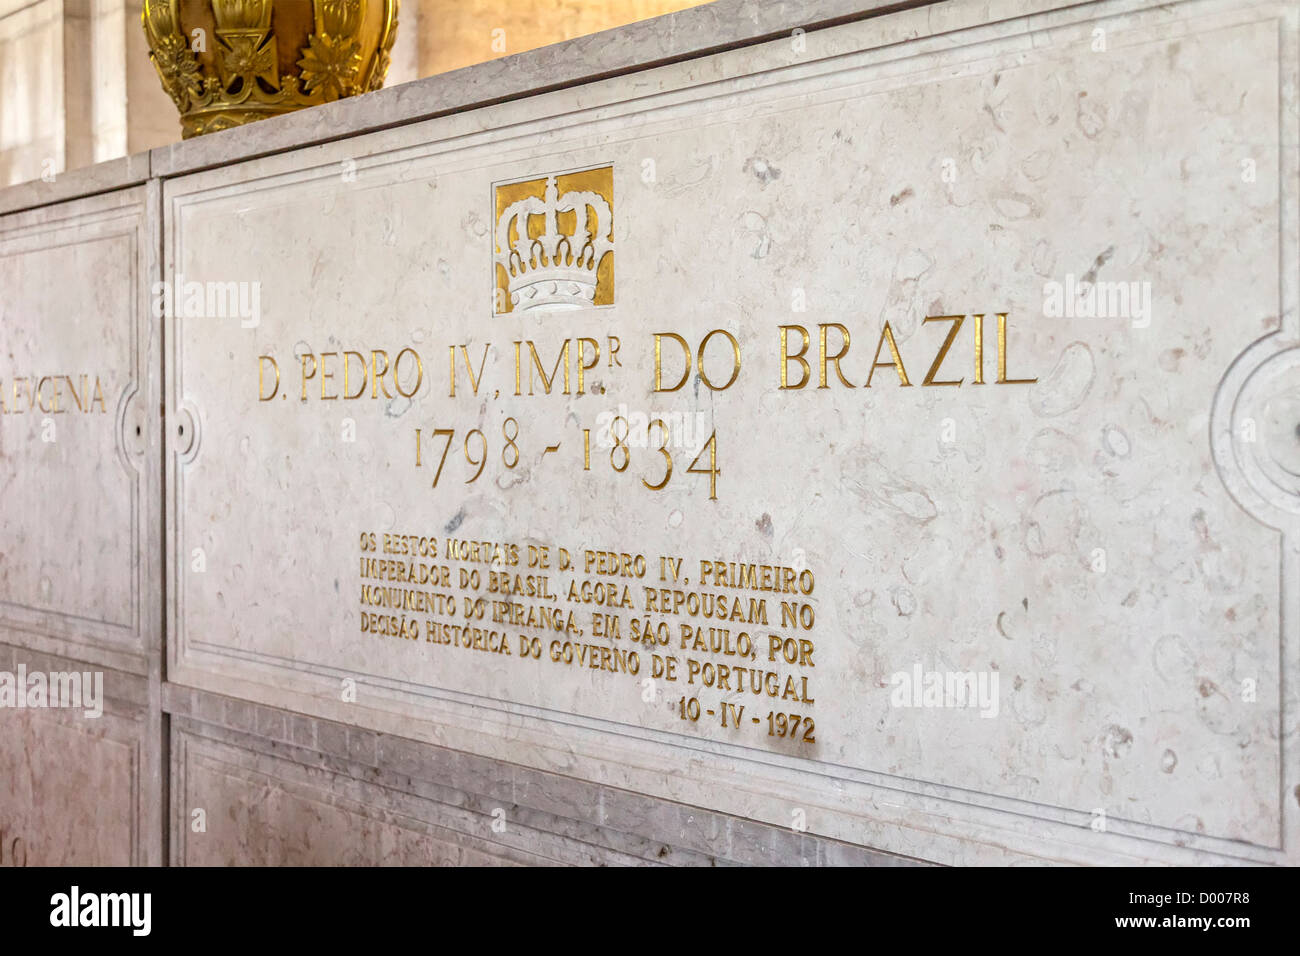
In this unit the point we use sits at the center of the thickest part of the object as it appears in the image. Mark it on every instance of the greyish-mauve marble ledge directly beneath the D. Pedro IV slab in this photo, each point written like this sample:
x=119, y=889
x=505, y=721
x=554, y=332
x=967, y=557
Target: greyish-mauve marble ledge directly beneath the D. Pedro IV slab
x=548, y=803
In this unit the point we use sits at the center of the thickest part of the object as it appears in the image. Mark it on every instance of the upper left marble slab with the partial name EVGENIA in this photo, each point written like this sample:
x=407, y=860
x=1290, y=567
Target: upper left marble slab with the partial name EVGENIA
x=80, y=430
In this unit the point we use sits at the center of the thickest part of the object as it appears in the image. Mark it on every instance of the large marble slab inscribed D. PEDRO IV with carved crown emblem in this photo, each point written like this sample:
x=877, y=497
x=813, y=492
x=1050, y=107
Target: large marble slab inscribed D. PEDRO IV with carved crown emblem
x=1095, y=529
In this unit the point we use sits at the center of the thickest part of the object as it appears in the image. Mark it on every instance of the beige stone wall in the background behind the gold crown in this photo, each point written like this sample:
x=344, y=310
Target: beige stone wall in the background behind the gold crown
x=77, y=85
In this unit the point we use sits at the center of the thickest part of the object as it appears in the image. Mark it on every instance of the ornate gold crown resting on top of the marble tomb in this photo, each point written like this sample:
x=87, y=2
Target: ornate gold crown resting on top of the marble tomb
x=227, y=63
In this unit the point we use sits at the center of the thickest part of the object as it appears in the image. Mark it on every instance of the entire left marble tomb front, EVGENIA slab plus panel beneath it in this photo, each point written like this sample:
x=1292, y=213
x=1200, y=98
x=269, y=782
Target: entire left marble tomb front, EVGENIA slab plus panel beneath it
x=81, y=604
